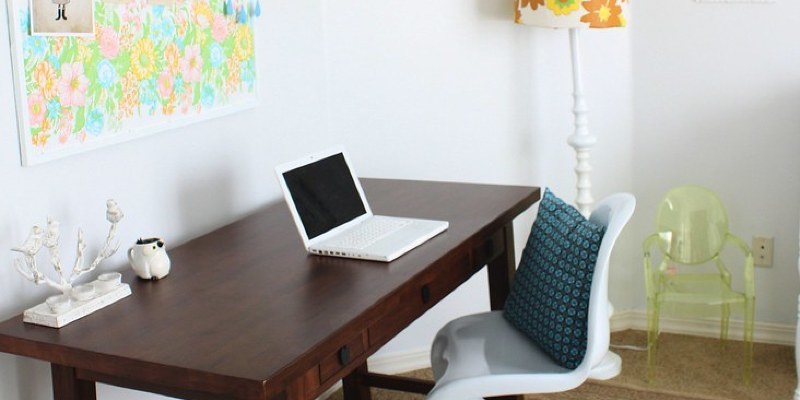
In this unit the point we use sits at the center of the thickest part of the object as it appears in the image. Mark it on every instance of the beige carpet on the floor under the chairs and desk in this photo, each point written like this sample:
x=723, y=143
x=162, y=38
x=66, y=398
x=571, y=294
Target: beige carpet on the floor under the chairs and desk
x=688, y=368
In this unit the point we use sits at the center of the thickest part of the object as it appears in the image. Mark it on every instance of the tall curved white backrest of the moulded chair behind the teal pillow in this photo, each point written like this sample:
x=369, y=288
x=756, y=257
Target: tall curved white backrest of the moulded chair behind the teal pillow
x=613, y=212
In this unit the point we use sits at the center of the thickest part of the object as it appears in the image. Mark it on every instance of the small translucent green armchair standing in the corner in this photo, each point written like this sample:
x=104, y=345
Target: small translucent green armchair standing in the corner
x=691, y=233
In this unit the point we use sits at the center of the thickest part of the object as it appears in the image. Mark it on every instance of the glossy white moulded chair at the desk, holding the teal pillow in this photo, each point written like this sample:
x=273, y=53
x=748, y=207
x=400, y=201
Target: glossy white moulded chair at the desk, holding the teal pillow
x=483, y=355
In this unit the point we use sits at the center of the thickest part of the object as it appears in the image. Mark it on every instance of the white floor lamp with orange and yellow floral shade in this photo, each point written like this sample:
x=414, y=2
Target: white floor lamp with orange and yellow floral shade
x=575, y=15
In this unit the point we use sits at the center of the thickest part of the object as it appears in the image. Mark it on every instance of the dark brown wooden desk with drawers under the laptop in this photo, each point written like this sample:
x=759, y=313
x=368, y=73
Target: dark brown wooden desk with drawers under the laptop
x=247, y=314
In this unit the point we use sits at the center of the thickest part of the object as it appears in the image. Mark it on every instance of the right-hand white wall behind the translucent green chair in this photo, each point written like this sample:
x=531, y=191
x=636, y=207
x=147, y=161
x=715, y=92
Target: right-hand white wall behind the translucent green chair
x=717, y=103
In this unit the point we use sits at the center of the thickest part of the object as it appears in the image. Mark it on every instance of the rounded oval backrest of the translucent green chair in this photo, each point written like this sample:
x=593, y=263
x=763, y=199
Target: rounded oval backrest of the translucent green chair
x=691, y=224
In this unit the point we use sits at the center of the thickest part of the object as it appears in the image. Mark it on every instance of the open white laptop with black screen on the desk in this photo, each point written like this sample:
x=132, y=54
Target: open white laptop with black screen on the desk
x=333, y=217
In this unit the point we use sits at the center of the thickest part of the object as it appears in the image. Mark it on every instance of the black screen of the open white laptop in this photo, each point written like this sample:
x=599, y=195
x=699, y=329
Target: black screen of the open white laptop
x=324, y=194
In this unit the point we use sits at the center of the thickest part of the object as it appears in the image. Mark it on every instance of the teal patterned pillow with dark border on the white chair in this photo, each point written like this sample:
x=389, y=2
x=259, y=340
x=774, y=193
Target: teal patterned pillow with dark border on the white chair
x=549, y=299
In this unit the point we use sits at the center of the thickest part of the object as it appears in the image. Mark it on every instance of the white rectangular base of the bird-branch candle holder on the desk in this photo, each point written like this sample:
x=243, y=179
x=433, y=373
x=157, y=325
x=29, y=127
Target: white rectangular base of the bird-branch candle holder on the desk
x=44, y=315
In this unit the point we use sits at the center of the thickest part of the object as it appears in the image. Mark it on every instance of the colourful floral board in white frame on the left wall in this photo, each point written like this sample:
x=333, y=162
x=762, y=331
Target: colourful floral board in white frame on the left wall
x=149, y=67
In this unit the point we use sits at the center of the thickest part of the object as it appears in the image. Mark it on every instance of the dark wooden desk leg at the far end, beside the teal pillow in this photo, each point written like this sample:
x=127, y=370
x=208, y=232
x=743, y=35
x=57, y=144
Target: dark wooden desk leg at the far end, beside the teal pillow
x=501, y=274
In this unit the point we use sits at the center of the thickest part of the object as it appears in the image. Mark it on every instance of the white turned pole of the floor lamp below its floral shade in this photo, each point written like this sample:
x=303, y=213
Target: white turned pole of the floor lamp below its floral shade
x=581, y=140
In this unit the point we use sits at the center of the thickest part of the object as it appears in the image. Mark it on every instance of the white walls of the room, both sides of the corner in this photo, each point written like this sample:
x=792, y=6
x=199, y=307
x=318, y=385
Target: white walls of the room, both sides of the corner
x=452, y=90
